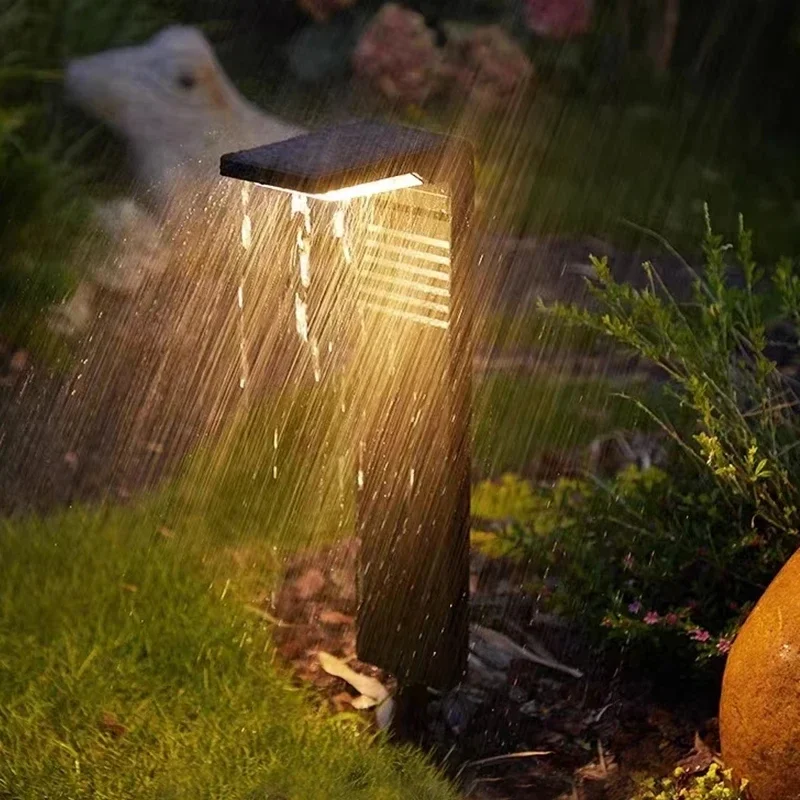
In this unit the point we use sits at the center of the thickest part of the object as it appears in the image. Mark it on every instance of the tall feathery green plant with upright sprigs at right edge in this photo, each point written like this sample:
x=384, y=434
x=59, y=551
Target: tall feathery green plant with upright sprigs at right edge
x=745, y=425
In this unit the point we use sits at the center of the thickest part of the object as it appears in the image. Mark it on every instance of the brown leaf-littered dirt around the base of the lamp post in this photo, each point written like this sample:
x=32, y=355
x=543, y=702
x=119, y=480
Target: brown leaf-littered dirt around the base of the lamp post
x=517, y=727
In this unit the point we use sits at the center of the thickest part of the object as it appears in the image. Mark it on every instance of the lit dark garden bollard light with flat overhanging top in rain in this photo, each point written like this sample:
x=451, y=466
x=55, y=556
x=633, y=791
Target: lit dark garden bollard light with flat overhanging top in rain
x=382, y=270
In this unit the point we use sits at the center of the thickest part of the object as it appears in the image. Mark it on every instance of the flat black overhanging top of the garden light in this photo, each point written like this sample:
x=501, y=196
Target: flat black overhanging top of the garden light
x=337, y=157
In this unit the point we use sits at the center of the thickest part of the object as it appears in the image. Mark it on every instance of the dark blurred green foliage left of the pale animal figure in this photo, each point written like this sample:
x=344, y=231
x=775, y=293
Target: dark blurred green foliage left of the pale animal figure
x=43, y=201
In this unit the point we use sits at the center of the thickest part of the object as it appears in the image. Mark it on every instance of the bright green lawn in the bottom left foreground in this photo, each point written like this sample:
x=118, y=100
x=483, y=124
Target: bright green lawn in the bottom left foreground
x=100, y=614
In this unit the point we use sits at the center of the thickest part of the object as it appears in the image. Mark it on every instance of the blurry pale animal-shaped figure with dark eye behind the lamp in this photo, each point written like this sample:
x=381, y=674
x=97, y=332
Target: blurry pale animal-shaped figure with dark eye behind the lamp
x=172, y=102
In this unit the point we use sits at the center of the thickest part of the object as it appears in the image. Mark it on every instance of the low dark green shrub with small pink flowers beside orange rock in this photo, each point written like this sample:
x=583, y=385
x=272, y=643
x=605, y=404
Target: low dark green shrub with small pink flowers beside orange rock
x=646, y=557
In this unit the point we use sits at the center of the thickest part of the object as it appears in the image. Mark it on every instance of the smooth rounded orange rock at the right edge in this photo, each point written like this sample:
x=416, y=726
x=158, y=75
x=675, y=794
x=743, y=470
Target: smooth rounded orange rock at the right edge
x=760, y=705
